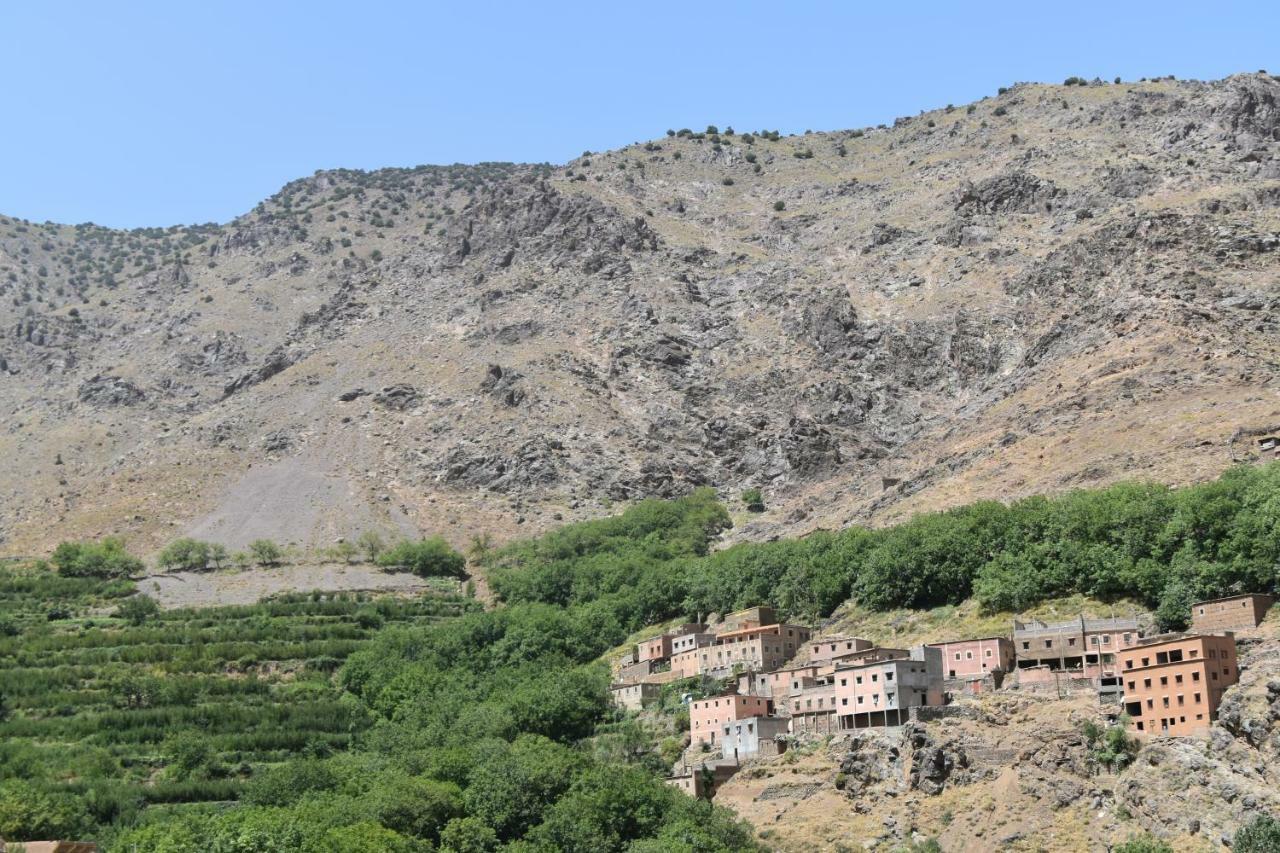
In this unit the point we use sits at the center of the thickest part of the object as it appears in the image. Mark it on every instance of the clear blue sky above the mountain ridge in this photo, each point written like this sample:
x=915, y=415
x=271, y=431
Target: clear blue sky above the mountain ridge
x=152, y=115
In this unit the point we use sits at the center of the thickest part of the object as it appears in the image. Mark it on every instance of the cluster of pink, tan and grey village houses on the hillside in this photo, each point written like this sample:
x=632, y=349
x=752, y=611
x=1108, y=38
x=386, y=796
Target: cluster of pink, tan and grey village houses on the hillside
x=781, y=682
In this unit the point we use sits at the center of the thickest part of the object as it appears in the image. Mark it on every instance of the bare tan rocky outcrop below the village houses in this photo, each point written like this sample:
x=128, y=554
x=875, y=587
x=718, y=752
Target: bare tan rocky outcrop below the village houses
x=1014, y=772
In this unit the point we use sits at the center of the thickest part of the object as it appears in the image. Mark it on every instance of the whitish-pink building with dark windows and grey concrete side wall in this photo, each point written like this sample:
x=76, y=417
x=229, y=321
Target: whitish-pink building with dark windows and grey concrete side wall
x=881, y=694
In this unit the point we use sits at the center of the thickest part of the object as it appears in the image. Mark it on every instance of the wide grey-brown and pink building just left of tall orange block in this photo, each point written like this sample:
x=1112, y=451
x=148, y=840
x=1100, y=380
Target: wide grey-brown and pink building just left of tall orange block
x=1082, y=647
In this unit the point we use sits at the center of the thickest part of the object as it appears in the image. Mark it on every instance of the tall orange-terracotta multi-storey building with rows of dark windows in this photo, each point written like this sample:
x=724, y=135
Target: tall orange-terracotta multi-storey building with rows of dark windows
x=1173, y=685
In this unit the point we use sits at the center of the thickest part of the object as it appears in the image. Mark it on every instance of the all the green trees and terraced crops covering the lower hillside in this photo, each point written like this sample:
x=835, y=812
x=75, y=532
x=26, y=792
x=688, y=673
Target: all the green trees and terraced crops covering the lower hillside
x=404, y=726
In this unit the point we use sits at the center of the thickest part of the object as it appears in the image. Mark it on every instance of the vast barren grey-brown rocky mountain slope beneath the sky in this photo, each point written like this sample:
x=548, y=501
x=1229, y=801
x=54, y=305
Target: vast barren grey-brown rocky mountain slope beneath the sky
x=1053, y=288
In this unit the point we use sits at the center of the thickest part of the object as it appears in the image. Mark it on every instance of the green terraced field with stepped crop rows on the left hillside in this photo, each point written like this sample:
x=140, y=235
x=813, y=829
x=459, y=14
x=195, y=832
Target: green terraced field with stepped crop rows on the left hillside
x=181, y=706
